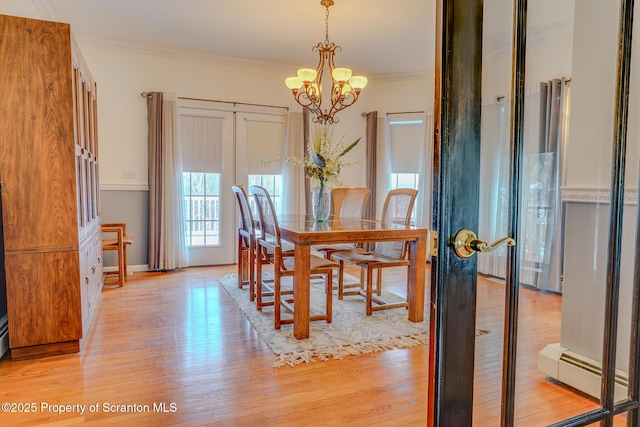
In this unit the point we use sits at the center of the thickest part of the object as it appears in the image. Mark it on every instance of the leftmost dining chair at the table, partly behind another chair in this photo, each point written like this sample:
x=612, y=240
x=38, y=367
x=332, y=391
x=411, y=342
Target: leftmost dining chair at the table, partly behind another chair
x=246, y=254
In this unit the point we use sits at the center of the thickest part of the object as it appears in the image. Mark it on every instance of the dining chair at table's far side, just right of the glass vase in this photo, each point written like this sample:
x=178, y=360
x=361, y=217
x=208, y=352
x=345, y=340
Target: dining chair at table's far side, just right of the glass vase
x=347, y=203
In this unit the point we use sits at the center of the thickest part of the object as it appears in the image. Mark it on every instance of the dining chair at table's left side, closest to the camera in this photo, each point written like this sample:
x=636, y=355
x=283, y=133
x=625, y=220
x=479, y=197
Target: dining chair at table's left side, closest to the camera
x=270, y=246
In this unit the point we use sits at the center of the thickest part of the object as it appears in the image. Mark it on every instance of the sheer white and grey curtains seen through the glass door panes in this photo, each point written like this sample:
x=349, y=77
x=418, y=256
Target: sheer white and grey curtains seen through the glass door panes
x=541, y=210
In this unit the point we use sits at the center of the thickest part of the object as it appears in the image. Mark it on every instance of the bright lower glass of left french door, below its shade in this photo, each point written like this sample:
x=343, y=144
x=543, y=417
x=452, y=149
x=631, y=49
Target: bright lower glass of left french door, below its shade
x=202, y=208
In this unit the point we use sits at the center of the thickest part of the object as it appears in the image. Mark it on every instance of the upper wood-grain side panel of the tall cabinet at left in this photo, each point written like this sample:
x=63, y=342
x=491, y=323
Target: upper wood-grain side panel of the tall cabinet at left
x=36, y=134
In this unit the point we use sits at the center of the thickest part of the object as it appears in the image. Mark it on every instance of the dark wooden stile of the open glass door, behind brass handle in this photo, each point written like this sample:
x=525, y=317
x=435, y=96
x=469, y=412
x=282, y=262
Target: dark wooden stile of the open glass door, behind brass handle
x=458, y=82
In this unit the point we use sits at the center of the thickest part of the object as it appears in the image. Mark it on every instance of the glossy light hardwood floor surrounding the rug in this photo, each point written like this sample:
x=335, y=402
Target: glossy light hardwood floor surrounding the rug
x=176, y=339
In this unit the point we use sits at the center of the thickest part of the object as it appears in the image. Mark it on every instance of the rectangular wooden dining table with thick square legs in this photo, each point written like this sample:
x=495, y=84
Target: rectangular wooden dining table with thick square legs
x=303, y=232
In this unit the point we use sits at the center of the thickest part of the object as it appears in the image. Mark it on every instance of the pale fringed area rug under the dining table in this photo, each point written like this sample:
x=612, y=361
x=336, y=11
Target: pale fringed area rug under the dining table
x=350, y=333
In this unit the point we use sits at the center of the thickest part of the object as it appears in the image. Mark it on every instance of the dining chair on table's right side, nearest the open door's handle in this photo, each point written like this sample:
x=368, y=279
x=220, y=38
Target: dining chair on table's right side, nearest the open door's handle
x=397, y=209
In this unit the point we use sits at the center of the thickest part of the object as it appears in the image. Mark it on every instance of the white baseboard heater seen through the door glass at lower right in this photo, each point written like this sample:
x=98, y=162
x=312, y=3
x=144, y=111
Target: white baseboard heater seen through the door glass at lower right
x=578, y=371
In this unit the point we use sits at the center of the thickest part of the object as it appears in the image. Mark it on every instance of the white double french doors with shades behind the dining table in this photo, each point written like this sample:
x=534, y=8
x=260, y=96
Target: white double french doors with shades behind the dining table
x=224, y=144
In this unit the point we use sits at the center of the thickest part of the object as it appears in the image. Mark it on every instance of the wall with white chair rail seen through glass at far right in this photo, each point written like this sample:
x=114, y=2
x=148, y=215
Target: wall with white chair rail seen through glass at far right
x=588, y=179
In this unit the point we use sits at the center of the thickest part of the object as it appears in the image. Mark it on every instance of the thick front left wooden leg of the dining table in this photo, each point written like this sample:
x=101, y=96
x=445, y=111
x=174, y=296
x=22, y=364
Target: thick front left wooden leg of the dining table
x=301, y=291
